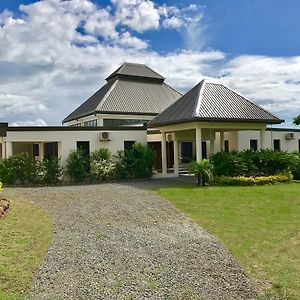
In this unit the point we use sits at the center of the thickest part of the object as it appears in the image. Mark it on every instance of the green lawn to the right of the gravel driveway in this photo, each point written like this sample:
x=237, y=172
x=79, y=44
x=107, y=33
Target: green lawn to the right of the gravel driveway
x=260, y=226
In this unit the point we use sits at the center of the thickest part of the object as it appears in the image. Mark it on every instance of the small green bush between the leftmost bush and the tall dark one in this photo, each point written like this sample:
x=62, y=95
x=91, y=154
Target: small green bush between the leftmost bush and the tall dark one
x=50, y=170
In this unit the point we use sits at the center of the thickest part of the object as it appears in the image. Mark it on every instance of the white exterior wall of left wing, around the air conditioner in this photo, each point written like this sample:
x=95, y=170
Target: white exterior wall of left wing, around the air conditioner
x=67, y=139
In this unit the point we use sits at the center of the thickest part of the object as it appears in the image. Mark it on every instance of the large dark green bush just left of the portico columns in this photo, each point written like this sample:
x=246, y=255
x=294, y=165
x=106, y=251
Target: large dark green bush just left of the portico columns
x=136, y=162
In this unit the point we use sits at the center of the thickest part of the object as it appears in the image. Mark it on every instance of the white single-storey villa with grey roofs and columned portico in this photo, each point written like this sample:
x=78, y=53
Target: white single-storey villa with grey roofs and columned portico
x=136, y=105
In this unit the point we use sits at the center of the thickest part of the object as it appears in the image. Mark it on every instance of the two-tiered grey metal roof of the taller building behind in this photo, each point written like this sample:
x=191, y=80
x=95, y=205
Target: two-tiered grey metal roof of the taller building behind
x=128, y=94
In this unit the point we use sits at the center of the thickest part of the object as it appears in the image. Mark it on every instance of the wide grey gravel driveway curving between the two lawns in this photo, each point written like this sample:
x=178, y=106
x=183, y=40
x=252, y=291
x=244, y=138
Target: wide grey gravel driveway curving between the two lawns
x=120, y=241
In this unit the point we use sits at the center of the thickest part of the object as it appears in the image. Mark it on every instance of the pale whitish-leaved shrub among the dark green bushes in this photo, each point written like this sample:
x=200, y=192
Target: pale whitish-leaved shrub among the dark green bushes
x=103, y=169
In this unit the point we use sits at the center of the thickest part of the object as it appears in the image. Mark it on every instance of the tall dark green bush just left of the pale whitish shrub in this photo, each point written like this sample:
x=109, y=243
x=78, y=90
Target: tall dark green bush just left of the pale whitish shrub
x=77, y=166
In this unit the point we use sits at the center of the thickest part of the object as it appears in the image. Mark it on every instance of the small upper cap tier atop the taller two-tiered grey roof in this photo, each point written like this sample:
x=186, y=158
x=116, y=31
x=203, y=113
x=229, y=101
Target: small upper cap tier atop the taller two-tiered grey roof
x=135, y=70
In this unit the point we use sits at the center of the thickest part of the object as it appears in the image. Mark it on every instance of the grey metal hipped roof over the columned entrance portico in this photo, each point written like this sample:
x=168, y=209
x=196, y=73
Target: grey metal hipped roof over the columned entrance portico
x=213, y=102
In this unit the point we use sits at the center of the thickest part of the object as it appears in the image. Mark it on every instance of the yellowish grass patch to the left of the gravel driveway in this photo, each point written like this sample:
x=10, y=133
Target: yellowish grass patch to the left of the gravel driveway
x=25, y=235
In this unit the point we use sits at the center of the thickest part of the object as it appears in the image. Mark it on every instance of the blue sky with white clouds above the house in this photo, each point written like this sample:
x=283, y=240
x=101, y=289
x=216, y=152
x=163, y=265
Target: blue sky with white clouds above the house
x=54, y=54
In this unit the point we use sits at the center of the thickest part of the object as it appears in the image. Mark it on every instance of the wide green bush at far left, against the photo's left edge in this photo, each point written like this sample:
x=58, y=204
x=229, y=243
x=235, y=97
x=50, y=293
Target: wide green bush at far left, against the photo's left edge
x=19, y=169
